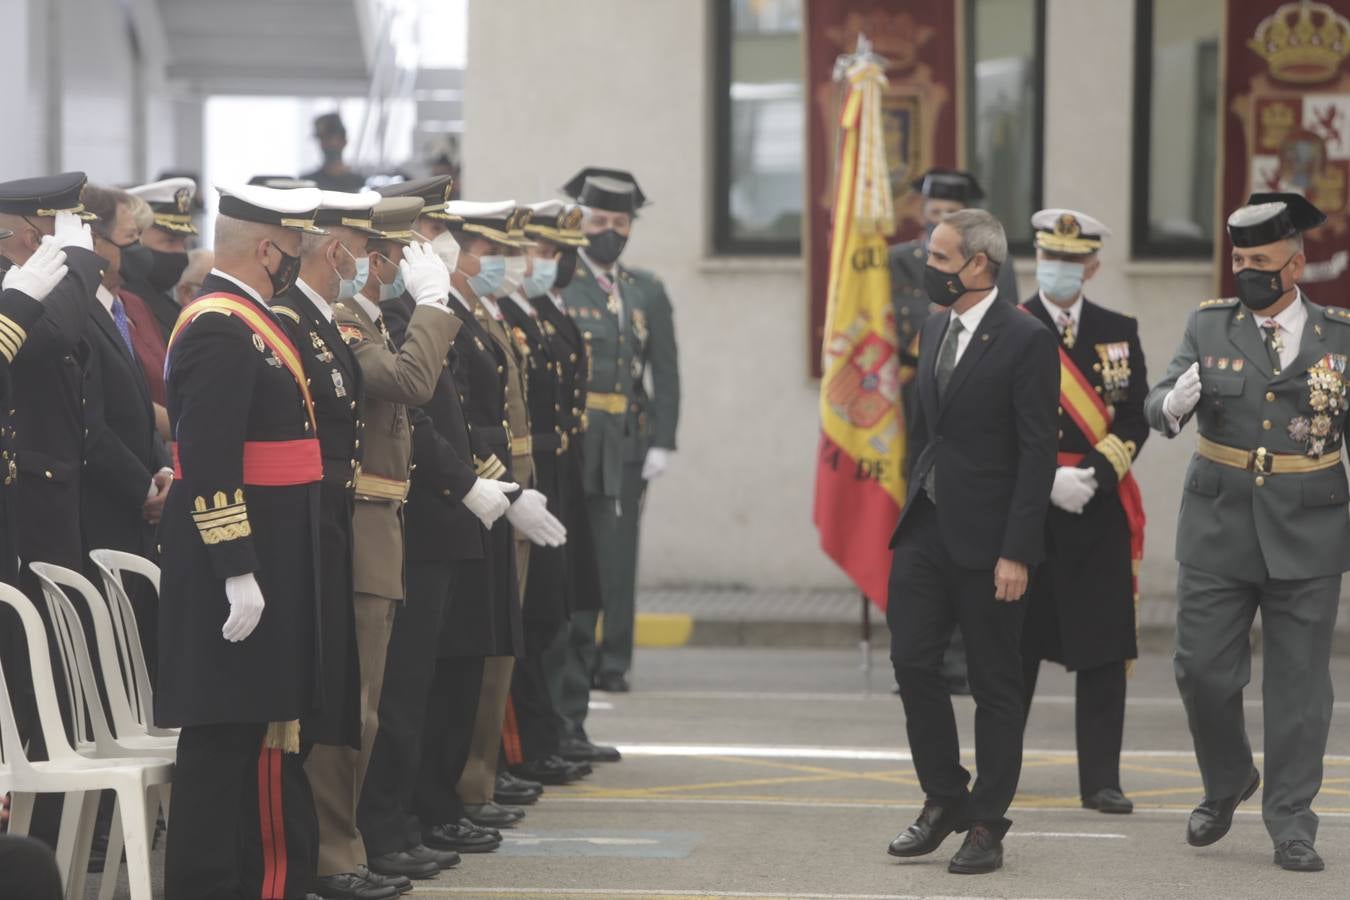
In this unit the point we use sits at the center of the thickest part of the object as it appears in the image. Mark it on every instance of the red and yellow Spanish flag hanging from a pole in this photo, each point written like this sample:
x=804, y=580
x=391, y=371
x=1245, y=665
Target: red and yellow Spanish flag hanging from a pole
x=859, y=488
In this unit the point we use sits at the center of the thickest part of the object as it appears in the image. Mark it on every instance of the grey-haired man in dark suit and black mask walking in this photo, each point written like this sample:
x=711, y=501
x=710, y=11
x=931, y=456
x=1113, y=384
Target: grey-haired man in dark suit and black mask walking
x=973, y=528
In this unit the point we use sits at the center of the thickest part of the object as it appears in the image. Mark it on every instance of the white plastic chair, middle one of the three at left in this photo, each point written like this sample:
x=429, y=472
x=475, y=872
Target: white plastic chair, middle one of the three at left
x=128, y=739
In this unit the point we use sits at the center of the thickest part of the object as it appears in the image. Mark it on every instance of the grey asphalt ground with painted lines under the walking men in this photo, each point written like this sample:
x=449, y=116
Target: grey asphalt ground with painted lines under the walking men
x=759, y=772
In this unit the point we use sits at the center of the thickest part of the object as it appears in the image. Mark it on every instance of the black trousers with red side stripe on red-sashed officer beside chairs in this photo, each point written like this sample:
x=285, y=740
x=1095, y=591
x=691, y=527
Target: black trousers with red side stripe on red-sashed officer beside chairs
x=244, y=821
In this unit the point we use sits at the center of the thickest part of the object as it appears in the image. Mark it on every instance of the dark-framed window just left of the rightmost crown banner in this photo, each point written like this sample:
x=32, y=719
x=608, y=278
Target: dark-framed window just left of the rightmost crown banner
x=1177, y=129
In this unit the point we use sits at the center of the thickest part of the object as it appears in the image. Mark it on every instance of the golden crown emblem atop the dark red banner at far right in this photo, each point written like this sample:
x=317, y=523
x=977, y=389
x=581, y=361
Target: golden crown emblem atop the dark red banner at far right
x=1303, y=43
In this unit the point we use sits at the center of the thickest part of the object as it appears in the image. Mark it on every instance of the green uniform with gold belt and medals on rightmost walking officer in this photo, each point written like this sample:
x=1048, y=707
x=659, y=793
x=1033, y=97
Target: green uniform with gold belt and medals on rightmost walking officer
x=1263, y=527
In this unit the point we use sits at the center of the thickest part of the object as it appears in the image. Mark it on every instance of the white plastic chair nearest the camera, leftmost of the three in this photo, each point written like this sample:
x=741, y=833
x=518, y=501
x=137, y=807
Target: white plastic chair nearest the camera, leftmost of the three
x=71, y=774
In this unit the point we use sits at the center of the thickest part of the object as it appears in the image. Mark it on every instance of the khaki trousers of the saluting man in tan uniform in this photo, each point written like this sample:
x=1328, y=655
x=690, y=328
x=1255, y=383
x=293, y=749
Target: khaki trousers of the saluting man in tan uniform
x=338, y=774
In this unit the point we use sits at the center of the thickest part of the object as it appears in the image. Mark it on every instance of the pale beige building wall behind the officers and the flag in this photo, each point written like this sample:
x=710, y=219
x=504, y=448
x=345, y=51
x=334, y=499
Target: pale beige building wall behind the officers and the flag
x=736, y=507
